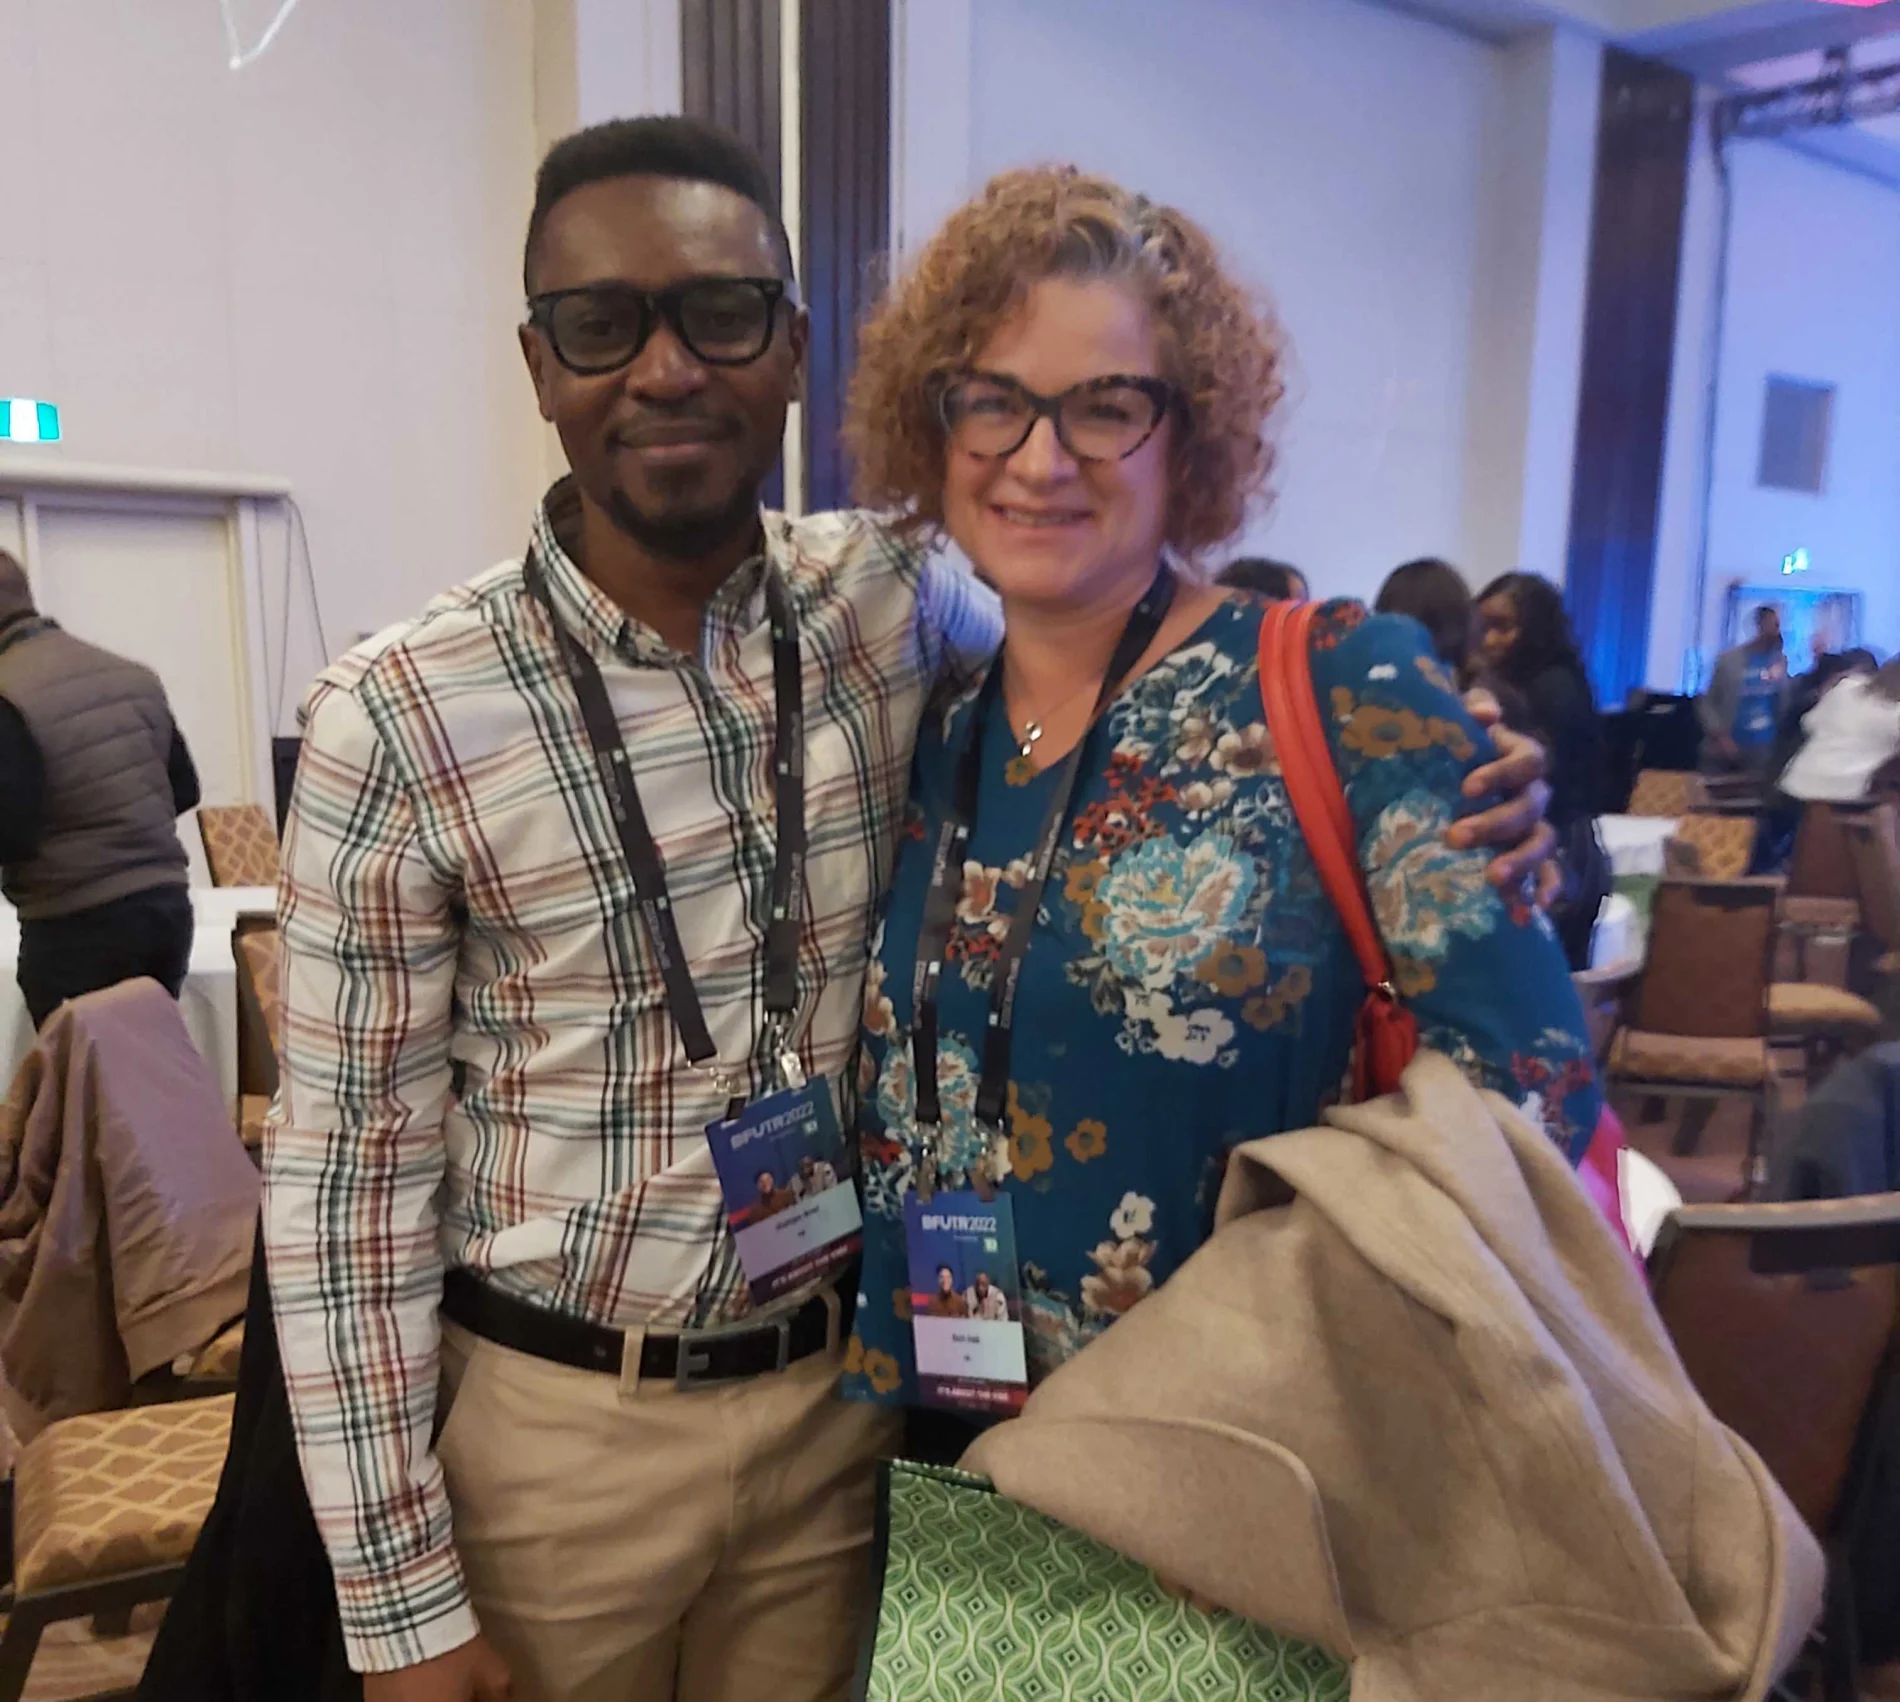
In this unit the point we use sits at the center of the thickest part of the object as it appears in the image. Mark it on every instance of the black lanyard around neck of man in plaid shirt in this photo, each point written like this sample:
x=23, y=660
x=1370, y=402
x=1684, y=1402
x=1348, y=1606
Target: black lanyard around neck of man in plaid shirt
x=645, y=865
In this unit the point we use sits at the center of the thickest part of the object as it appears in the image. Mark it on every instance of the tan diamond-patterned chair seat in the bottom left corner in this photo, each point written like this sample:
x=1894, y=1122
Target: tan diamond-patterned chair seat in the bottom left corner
x=111, y=1494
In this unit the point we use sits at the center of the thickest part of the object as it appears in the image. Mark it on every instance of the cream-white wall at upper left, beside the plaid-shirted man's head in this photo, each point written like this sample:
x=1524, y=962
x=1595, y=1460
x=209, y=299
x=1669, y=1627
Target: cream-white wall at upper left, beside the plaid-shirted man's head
x=307, y=269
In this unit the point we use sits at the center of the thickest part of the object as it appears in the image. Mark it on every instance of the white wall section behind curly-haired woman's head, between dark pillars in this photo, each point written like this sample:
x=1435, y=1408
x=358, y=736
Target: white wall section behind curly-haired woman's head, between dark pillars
x=1340, y=151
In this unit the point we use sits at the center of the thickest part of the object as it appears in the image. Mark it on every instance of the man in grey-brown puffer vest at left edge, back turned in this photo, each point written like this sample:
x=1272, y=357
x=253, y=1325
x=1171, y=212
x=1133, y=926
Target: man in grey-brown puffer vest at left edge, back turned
x=94, y=776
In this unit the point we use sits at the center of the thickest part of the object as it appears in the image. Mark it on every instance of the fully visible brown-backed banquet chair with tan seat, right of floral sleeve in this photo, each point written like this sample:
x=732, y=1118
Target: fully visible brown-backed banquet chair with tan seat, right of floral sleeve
x=1698, y=1023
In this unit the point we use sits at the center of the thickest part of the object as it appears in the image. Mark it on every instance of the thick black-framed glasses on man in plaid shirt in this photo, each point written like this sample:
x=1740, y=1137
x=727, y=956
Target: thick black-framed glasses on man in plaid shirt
x=725, y=322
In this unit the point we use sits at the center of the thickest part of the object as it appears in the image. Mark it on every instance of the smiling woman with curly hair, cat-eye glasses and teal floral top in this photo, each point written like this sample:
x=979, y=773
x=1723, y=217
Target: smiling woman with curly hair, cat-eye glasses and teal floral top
x=1073, y=388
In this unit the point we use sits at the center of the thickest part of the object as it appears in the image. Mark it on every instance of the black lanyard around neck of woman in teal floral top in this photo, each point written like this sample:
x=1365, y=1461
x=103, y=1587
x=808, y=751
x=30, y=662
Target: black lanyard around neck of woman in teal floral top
x=947, y=877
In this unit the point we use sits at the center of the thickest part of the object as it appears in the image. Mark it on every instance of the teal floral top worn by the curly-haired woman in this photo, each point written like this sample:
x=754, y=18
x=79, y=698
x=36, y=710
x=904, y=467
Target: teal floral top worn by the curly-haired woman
x=1188, y=985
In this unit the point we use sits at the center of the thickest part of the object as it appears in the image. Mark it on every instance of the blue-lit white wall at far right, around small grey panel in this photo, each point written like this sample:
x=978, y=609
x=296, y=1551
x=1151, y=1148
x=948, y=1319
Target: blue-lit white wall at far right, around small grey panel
x=1814, y=292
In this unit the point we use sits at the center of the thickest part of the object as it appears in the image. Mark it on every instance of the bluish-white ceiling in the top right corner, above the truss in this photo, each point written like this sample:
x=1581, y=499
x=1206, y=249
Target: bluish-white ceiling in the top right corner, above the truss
x=1758, y=45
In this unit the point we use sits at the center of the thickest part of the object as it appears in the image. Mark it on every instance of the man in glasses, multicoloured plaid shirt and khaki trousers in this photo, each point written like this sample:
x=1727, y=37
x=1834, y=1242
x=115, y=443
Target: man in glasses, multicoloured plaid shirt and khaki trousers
x=487, y=1057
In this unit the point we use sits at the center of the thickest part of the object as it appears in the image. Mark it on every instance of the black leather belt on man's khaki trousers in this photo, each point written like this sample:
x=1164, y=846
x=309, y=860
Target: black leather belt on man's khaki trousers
x=691, y=1359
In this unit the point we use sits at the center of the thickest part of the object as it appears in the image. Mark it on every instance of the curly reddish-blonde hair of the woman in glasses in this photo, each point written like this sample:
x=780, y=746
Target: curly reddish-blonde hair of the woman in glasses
x=1219, y=347
